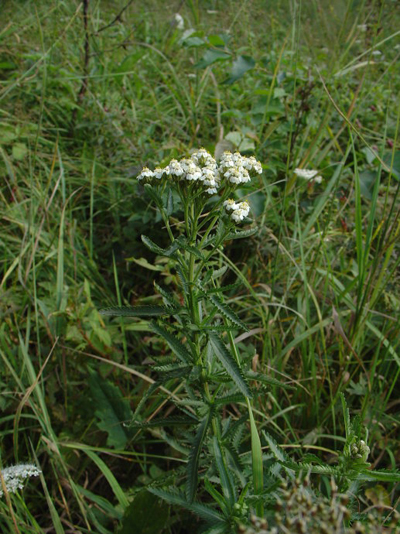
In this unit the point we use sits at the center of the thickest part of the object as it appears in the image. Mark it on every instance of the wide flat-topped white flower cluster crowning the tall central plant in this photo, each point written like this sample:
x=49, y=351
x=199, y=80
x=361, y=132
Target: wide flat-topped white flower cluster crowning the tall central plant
x=201, y=167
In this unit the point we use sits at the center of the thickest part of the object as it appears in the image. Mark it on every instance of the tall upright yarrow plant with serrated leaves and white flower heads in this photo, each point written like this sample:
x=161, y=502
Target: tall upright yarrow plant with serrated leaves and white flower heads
x=196, y=194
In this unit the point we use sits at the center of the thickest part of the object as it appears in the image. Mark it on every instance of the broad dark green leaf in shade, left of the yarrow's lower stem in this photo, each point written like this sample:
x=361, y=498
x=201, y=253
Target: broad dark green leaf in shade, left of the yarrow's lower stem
x=112, y=410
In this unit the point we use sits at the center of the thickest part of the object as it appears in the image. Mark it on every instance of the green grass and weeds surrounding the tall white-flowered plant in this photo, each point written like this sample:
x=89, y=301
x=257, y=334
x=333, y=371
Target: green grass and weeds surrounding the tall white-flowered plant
x=91, y=92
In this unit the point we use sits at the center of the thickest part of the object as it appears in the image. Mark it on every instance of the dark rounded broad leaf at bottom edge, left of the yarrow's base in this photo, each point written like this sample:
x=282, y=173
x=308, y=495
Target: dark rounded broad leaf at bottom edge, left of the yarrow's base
x=146, y=514
